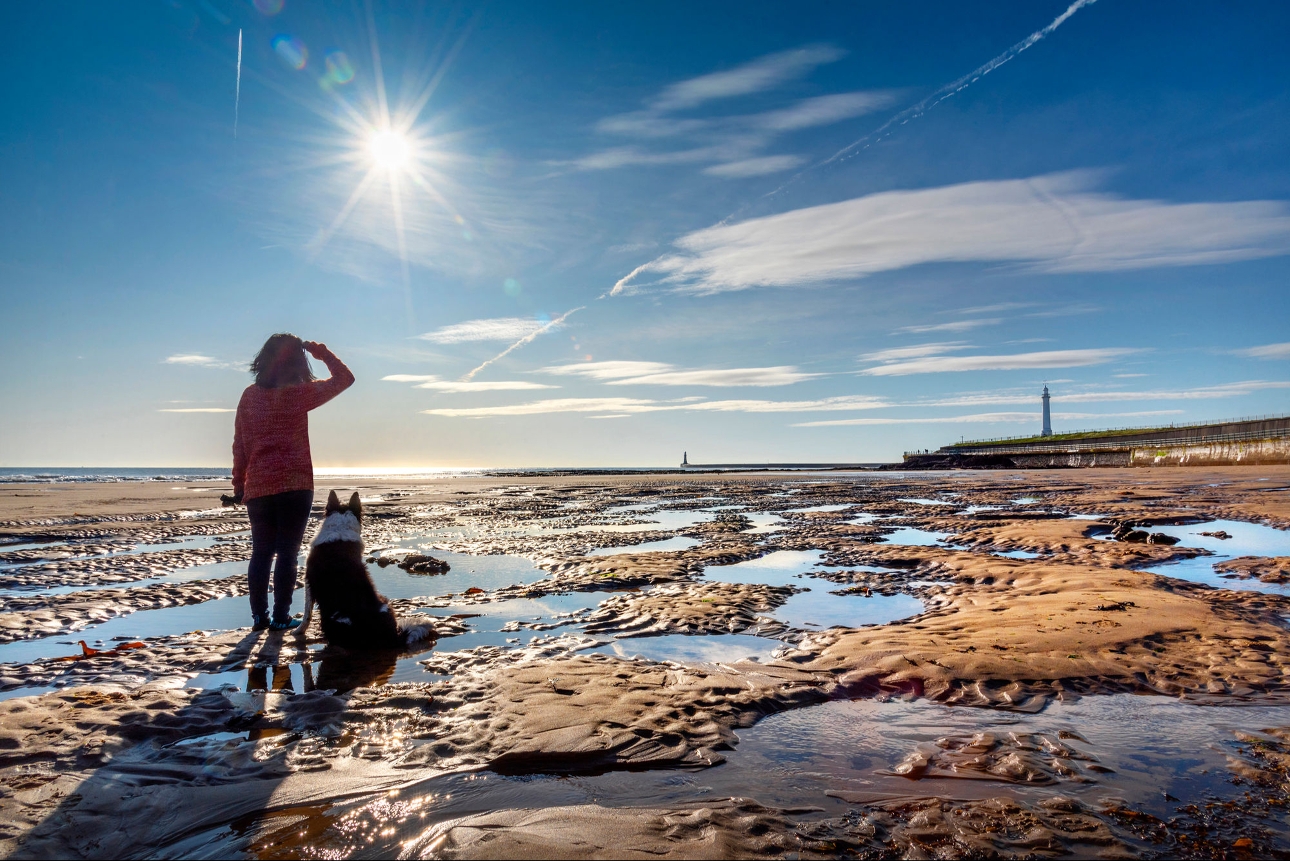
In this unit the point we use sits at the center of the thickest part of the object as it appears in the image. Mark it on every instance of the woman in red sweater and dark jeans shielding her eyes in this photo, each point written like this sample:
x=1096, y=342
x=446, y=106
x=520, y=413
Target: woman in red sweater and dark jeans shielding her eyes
x=273, y=469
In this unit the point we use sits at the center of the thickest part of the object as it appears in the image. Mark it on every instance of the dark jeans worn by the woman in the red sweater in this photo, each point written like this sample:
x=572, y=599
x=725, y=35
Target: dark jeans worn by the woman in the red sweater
x=277, y=530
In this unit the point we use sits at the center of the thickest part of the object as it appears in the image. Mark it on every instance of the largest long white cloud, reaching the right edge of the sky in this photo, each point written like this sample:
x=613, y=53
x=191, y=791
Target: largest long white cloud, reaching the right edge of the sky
x=1053, y=224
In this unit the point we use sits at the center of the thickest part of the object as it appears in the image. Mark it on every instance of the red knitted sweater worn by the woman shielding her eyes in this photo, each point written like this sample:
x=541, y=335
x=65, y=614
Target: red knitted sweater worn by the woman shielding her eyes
x=272, y=434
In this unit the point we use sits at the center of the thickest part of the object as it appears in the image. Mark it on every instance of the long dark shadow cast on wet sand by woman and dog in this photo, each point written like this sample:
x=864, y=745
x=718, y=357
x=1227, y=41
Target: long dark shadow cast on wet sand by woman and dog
x=226, y=756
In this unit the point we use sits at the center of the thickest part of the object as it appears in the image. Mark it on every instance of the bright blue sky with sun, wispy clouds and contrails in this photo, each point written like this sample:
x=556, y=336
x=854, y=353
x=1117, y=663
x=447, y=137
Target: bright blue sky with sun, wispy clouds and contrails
x=754, y=233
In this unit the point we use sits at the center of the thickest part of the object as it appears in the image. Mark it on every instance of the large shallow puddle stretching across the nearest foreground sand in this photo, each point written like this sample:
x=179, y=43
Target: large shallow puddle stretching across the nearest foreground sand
x=798, y=758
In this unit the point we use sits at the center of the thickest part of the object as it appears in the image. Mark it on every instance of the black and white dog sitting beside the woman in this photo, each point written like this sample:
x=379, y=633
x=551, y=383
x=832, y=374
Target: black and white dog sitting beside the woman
x=353, y=614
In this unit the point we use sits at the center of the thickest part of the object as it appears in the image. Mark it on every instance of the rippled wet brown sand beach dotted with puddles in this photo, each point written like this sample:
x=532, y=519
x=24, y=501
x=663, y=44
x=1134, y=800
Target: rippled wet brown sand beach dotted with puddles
x=506, y=736
